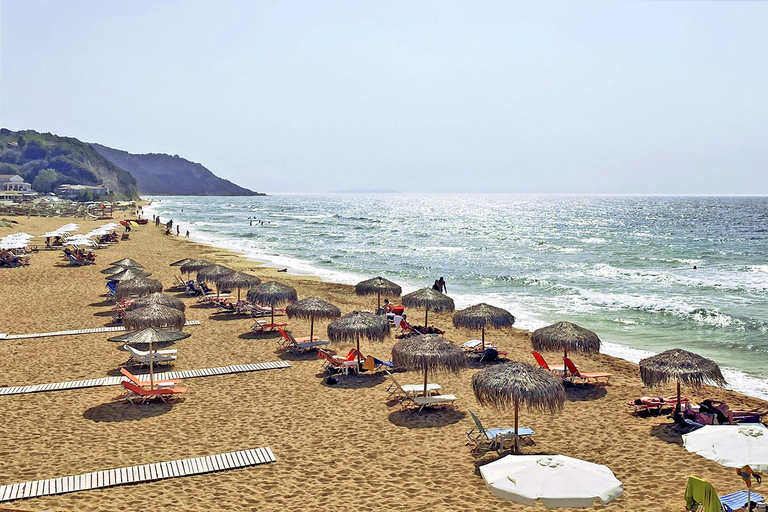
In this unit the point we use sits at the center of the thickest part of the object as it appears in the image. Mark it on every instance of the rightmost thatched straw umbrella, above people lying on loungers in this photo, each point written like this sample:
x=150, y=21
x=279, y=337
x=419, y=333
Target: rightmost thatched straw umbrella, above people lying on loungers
x=680, y=365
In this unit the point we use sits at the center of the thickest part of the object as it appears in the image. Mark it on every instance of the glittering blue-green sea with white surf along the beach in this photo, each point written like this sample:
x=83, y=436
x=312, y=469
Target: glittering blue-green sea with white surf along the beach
x=646, y=273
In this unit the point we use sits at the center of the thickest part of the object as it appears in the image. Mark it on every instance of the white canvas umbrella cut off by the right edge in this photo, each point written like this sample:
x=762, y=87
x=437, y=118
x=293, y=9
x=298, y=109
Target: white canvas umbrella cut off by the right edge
x=743, y=446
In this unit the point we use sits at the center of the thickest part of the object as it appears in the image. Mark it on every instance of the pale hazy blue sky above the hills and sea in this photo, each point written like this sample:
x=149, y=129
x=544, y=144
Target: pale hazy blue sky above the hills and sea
x=579, y=96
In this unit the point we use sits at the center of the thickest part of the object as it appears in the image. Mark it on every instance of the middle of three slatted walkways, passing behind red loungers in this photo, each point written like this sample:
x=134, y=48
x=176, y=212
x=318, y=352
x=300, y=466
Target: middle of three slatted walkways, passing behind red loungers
x=115, y=381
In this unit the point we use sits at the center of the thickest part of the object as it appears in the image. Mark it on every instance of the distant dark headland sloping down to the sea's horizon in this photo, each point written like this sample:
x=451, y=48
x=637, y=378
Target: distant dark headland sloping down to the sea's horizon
x=171, y=175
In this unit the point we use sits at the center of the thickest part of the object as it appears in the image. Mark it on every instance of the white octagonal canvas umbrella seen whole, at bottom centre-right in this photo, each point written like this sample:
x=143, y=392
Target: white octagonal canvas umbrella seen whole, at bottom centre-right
x=554, y=480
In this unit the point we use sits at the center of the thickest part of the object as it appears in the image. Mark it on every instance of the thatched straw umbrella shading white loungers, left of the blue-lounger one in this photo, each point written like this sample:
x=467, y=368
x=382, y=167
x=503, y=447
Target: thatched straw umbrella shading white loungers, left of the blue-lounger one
x=428, y=352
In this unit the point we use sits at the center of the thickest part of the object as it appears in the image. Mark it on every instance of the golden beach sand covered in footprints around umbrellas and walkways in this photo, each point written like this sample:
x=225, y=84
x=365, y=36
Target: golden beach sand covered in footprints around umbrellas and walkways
x=342, y=447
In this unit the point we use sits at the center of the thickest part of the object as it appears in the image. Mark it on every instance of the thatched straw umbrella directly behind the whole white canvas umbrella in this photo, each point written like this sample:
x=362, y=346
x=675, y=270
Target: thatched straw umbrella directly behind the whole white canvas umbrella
x=516, y=383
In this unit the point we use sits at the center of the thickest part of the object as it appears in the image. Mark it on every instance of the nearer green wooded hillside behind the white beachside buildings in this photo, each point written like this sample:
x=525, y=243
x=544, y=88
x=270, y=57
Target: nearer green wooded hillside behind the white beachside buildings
x=65, y=160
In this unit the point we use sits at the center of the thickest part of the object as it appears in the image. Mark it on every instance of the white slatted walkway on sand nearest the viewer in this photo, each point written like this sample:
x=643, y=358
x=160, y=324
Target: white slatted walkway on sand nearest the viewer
x=137, y=474
